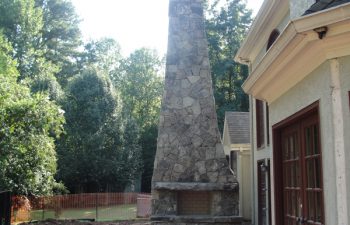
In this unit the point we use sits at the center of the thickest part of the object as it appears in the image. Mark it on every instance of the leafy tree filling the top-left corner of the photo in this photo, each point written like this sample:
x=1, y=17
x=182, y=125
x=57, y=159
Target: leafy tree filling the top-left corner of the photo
x=22, y=23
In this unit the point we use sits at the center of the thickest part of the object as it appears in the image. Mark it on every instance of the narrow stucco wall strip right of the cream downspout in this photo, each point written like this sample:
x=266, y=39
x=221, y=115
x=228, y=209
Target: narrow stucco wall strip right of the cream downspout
x=345, y=86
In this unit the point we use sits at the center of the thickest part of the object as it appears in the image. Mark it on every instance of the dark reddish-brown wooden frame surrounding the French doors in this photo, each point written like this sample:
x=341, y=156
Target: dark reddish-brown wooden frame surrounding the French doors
x=277, y=155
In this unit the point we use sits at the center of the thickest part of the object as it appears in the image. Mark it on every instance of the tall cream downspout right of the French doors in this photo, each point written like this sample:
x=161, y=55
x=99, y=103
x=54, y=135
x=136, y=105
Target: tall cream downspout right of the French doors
x=339, y=145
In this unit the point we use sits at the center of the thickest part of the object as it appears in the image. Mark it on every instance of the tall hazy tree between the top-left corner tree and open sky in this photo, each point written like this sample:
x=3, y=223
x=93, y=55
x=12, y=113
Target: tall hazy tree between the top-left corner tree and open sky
x=61, y=36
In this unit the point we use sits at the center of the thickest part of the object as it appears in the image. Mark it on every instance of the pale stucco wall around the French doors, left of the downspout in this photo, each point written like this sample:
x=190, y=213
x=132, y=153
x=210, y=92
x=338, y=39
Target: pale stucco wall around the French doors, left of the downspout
x=314, y=87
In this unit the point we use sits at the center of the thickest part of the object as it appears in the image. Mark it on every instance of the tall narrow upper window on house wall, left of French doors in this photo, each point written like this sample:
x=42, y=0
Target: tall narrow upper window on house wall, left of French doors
x=260, y=126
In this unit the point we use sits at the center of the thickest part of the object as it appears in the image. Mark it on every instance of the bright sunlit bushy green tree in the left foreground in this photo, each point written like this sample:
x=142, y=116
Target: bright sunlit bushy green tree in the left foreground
x=29, y=124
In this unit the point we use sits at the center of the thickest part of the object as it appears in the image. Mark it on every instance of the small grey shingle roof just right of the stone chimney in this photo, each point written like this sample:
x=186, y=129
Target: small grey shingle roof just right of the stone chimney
x=238, y=127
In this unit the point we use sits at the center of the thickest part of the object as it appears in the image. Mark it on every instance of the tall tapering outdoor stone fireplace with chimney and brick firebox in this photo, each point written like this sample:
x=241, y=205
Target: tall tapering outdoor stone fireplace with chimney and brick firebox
x=192, y=182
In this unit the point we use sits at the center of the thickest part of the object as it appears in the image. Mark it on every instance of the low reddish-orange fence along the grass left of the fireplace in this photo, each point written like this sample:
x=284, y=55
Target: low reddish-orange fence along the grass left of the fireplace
x=94, y=206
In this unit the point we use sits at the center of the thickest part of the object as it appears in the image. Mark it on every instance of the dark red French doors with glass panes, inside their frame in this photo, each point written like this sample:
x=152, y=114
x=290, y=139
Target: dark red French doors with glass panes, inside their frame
x=302, y=173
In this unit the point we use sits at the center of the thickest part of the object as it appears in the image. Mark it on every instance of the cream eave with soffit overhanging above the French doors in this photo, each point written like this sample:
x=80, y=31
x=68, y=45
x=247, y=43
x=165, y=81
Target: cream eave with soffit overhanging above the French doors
x=298, y=51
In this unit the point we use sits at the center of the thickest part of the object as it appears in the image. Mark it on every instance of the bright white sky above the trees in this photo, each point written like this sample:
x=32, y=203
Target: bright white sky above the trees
x=133, y=23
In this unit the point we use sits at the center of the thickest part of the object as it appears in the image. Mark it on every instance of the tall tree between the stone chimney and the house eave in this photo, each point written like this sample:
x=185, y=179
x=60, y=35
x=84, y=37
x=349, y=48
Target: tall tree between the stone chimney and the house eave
x=226, y=27
